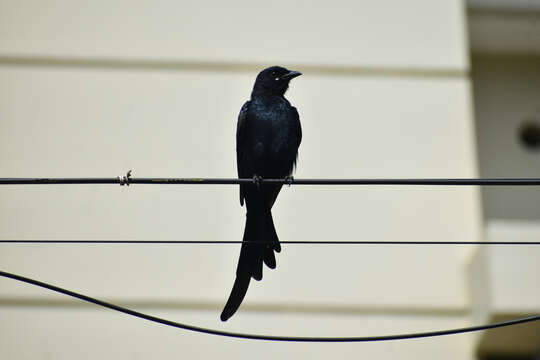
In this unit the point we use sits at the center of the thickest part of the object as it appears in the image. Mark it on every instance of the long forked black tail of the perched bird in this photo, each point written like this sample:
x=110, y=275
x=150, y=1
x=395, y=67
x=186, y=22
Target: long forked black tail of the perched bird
x=259, y=243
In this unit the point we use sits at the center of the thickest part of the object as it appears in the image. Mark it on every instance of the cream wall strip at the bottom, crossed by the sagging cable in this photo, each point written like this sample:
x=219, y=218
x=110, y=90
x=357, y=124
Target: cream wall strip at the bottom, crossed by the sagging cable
x=95, y=334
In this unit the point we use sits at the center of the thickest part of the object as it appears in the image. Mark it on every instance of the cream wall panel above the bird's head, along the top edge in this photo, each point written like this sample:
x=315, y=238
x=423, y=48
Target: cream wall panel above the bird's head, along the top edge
x=420, y=33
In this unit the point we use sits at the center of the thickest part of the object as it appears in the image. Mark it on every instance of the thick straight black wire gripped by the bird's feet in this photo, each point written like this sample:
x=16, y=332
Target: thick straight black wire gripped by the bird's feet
x=126, y=180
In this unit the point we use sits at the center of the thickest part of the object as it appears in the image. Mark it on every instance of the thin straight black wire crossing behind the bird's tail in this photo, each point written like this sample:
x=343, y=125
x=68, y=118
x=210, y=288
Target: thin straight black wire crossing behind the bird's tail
x=292, y=242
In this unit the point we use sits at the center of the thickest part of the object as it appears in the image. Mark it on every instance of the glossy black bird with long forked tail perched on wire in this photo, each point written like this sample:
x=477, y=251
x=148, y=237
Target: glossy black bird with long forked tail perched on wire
x=268, y=135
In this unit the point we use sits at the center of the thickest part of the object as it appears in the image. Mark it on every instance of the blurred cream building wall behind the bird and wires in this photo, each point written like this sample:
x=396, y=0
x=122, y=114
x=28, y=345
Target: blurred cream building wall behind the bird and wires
x=391, y=89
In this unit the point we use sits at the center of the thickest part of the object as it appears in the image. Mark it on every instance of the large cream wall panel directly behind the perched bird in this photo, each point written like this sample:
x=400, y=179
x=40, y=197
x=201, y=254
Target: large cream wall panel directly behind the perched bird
x=98, y=123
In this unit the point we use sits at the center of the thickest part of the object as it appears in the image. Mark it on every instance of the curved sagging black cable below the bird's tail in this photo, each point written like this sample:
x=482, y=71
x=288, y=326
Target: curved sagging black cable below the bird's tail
x=266, y=337
